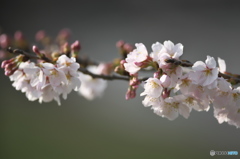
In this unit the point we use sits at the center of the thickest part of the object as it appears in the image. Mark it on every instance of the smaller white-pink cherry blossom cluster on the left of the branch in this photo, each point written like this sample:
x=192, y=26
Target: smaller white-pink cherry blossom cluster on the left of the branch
x=46, y=81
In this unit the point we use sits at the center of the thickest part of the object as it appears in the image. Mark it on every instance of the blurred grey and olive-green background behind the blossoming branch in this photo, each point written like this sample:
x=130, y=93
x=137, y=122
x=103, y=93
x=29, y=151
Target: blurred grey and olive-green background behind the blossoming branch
x=111, y=127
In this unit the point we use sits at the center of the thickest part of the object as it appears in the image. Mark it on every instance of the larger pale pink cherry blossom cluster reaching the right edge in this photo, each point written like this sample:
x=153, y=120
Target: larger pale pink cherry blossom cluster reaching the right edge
x=172, y=91
